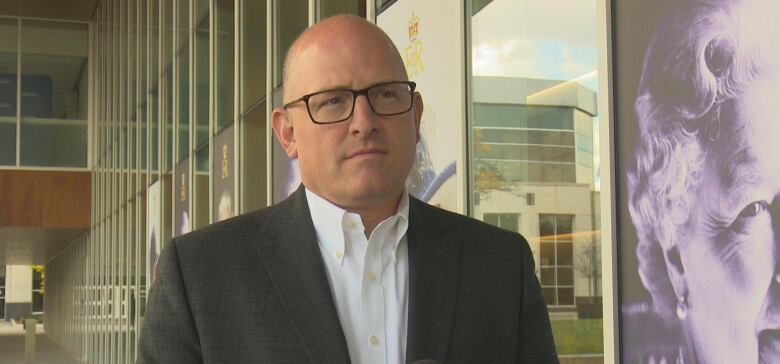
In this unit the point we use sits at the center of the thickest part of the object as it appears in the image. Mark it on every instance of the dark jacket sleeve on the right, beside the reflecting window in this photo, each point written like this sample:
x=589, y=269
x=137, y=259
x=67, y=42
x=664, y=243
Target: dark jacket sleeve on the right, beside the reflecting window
x=535, y=339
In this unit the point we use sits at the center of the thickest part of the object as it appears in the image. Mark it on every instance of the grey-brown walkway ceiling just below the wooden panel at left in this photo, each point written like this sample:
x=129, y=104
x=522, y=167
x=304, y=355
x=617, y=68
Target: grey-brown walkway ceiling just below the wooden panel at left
x=25, y=246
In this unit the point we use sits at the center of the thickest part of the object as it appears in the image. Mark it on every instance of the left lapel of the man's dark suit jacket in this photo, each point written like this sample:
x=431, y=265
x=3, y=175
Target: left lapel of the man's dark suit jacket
x=293, y=261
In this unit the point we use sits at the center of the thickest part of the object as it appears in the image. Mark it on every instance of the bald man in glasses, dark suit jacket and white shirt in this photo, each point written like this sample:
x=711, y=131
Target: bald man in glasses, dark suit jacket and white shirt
x=349, y=268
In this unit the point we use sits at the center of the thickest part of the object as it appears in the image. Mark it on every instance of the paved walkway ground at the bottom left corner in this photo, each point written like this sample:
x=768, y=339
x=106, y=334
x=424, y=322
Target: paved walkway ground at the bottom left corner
x=46, y=351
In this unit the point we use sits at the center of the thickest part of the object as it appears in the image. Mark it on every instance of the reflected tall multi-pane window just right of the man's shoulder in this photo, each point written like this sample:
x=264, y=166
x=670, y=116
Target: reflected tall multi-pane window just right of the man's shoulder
x=556, y=259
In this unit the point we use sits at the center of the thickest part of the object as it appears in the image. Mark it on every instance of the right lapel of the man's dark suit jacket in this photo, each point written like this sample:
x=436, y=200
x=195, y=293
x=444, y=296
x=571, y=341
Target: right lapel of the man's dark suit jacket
x=433, y=278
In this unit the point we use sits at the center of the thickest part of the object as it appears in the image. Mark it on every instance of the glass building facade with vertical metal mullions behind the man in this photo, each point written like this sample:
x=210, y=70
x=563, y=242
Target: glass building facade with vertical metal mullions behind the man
x=167, y=103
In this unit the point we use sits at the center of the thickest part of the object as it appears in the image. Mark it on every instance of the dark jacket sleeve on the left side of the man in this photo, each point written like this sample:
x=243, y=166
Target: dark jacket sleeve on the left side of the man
x=168, y=332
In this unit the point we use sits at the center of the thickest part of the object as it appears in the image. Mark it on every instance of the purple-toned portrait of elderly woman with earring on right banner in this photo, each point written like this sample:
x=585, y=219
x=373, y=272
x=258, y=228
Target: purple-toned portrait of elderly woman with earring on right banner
x=703, y=186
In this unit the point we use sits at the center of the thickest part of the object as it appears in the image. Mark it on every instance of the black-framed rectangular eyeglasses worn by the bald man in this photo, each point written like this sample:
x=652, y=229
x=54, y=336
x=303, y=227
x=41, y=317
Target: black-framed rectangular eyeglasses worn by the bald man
x=333, y=106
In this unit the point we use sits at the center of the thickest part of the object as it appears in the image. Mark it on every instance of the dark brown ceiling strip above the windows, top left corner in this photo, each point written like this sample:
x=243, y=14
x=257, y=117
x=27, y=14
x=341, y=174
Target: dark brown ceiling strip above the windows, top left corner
x=80, y=10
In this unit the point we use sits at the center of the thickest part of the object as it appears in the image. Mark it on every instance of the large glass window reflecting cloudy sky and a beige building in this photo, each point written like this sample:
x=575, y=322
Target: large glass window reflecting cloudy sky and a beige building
x=533, y=126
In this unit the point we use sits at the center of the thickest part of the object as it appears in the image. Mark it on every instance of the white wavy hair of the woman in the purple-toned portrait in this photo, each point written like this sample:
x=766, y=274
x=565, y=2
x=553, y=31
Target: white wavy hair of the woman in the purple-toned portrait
x=701, y=58
